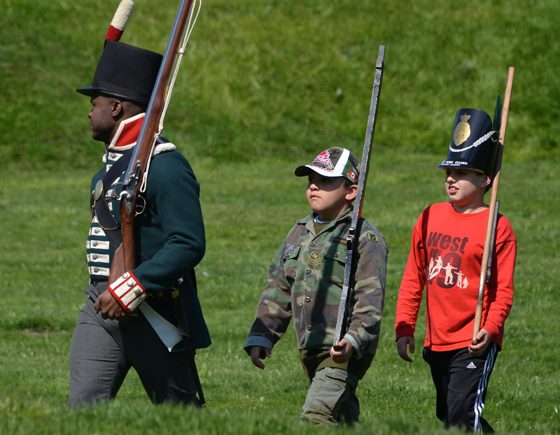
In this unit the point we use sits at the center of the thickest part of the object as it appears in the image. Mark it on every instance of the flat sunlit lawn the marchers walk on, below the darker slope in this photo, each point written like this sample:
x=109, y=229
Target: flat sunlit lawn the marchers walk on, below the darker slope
x=248, y=208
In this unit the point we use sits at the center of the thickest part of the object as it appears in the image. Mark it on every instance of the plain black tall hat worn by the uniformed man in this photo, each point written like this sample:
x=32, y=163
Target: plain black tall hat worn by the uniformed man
x=125, y=71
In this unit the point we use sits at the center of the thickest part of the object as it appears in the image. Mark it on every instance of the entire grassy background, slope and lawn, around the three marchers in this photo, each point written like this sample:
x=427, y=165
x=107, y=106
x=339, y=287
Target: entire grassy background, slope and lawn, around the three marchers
x=265, y=85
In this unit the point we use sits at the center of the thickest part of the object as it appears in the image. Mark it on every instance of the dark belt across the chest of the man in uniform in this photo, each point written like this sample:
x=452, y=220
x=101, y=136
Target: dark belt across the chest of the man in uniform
x=99, y=205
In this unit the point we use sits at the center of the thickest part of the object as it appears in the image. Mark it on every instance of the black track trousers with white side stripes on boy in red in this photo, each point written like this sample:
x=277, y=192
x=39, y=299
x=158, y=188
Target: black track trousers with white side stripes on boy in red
x=461, y=381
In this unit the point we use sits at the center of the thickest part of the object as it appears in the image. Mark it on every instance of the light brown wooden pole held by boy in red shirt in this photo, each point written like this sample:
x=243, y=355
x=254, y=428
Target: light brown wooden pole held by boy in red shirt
x=485, y=269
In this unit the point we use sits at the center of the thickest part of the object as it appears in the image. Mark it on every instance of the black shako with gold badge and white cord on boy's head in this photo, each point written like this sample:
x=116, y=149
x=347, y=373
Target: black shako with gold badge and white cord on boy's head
x=473, y=144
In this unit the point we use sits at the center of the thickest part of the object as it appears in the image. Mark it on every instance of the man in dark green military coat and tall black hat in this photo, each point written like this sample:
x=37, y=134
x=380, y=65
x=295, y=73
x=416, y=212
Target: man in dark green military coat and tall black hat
x=139, y=320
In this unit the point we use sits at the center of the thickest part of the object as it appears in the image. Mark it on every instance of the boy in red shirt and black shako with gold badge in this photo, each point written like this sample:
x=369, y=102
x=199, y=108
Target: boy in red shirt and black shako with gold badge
x=445, y=259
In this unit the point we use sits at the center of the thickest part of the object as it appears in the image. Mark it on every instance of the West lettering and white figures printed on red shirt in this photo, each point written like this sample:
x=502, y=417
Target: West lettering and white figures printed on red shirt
x=445, y=260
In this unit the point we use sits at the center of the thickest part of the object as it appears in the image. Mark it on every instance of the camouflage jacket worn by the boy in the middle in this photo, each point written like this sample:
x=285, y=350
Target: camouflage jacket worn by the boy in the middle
x=305, y=282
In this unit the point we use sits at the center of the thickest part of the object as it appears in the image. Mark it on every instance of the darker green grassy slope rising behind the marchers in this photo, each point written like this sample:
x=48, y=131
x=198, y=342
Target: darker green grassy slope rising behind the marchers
x=278, y=77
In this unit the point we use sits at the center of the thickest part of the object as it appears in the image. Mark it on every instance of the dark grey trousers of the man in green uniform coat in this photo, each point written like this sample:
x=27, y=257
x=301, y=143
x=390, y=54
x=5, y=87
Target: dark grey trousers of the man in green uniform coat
x=103, y=351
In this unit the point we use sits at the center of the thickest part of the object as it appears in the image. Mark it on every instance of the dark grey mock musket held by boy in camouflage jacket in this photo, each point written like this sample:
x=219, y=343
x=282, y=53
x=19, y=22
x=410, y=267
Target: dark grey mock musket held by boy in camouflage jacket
x=353, y=233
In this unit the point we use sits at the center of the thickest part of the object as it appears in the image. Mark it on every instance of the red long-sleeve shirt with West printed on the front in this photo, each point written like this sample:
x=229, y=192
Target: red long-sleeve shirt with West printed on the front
x=445, y=258
